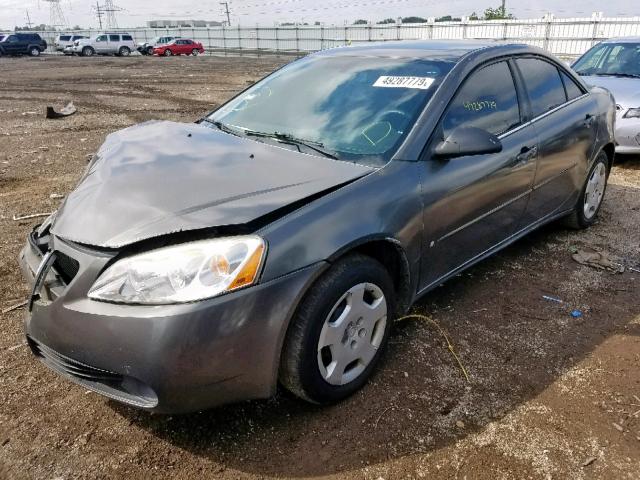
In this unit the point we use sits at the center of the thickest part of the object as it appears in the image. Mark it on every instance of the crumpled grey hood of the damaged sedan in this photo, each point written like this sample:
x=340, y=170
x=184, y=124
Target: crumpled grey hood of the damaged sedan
x=163, y=177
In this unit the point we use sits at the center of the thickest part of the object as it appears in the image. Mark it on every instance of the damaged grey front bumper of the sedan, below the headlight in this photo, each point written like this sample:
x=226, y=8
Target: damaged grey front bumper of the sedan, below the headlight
x=169, y=358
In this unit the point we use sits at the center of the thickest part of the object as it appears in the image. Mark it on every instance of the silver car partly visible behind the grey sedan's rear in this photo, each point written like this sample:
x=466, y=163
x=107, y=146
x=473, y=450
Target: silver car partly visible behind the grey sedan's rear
x=615, y=65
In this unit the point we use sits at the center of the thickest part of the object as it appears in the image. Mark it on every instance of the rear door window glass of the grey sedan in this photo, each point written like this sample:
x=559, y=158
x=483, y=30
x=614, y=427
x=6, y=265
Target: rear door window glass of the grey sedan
x=543, y=83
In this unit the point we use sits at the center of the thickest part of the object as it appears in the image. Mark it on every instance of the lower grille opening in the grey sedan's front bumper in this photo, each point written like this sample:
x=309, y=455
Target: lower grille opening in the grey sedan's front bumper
x=113, y=385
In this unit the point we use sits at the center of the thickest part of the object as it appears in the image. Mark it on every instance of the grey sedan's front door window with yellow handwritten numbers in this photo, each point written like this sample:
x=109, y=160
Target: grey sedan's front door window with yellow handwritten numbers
x=487, y=100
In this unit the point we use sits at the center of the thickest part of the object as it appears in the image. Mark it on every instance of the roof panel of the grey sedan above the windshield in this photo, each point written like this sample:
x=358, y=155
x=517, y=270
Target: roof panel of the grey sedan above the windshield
x=427, y=49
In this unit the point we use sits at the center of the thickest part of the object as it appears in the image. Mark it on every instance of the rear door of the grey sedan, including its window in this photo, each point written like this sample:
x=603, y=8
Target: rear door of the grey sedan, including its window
x=562, y=114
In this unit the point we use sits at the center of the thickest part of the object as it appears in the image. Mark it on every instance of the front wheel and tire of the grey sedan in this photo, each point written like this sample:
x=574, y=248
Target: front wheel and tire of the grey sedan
x=339, y=331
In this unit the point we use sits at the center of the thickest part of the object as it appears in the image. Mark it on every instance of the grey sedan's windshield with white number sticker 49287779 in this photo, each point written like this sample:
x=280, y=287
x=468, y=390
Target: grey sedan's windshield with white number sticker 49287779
x=357, y=109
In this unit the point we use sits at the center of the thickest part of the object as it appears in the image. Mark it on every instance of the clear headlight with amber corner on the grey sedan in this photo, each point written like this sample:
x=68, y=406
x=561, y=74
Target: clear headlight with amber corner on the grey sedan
x=182, y=273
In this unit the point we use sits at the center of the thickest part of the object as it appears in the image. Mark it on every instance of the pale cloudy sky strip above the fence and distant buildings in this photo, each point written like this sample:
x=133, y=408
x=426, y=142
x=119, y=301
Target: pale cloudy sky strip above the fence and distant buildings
x=267, y=12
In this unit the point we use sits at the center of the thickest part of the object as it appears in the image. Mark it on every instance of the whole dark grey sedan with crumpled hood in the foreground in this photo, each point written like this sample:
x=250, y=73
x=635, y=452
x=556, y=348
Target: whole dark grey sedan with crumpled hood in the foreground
x=277, y=239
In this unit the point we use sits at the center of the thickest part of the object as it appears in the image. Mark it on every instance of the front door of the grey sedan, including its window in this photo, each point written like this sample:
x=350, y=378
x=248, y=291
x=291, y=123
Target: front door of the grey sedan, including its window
x=474, y=203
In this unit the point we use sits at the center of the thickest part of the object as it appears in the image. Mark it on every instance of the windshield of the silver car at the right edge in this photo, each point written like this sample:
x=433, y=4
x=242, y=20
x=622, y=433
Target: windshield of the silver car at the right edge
x=616, y=59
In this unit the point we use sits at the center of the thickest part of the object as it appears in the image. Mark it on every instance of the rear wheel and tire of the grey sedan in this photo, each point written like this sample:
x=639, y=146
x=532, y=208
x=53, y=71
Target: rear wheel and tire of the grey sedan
x=591, y=196
